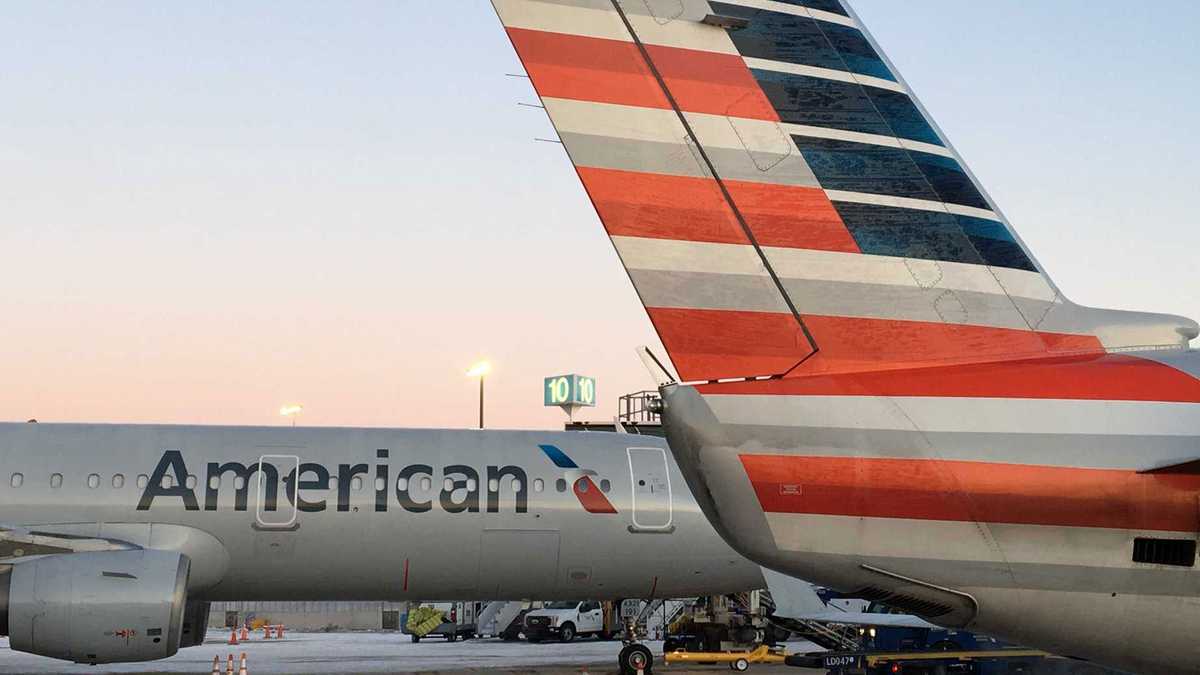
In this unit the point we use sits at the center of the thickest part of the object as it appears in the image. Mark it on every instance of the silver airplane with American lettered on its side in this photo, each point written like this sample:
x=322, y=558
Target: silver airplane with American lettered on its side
x=116, y=539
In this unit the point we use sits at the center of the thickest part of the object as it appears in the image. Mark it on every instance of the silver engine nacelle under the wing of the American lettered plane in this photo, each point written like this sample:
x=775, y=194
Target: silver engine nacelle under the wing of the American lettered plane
x=101, y=607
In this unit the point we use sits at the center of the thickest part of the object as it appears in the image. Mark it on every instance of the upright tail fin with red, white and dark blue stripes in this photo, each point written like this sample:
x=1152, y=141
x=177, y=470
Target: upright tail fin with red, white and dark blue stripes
x=782, y=201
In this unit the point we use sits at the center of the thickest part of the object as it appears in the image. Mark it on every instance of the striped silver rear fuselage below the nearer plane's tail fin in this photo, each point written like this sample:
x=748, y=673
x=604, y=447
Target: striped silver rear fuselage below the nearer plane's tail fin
x=1012, y=517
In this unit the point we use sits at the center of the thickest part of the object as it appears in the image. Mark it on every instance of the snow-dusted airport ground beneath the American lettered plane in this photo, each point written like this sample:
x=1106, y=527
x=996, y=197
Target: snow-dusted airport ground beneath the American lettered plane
x=322, y=654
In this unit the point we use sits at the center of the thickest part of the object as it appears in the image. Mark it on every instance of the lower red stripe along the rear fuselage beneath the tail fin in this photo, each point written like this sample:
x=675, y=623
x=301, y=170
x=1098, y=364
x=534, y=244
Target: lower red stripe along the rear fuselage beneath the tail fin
x=974, y=492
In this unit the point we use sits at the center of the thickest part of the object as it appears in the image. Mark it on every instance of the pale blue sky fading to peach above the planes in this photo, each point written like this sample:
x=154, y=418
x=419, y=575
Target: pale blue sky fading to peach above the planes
x=209, y=211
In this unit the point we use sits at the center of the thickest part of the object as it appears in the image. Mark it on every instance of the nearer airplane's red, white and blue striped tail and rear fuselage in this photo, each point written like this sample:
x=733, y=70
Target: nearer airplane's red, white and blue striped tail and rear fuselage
x=880, y=389
